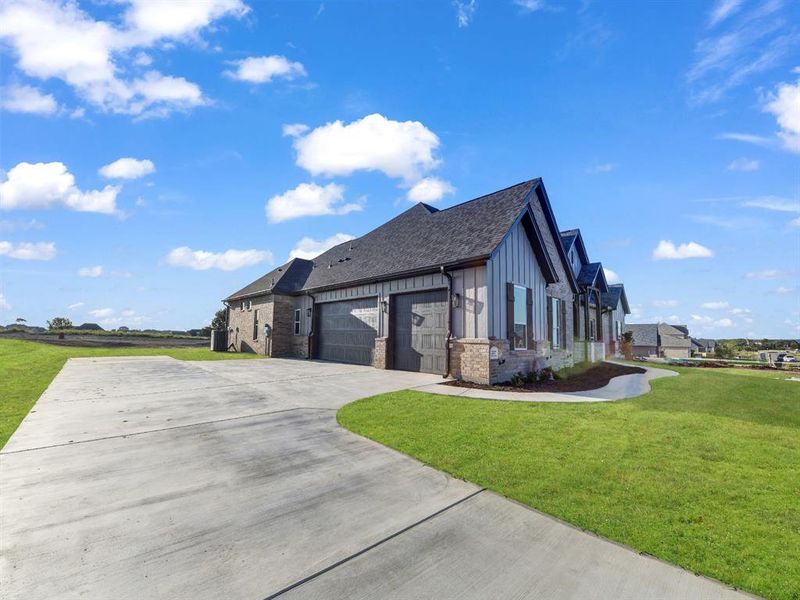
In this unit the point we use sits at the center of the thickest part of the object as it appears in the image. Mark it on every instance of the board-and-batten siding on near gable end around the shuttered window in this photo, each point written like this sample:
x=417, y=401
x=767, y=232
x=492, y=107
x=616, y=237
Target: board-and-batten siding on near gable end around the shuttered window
x=513, y=261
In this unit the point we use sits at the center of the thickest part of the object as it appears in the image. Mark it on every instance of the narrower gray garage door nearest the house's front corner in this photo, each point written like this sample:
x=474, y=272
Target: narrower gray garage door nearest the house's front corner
x=420, y=332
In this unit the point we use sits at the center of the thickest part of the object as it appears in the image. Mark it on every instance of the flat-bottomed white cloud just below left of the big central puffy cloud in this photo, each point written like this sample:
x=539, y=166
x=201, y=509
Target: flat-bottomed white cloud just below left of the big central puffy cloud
x=308, y=200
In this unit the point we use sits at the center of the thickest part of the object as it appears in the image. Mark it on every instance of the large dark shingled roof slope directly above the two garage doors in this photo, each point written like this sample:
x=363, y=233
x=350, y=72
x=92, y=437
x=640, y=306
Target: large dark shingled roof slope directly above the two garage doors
x=424, y=238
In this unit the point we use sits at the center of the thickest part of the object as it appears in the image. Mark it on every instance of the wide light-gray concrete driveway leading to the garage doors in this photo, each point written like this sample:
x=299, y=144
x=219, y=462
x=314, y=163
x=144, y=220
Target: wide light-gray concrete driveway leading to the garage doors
x=155, y=478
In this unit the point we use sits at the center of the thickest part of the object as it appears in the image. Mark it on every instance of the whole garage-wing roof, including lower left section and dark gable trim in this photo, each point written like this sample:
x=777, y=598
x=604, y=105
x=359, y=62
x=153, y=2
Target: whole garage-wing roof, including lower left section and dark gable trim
x=419, y=239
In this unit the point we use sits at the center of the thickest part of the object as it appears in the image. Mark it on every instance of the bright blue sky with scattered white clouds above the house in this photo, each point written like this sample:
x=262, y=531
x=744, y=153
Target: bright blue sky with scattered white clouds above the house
x=157, y=156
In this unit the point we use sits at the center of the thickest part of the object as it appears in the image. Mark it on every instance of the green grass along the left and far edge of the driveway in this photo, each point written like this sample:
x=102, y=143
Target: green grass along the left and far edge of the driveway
x=27, y=368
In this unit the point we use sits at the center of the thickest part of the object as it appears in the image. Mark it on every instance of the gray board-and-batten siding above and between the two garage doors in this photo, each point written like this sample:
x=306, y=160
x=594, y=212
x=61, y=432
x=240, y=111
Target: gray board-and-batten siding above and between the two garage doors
x=469, y=319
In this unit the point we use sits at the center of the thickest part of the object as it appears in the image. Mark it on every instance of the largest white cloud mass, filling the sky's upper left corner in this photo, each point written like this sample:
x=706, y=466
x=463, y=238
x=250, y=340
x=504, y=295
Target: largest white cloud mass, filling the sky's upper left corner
x=59, y=40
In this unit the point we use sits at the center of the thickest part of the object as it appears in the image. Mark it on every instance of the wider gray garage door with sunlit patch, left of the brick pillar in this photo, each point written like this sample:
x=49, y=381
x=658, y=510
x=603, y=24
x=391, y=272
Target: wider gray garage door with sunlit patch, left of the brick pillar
x=347, y=330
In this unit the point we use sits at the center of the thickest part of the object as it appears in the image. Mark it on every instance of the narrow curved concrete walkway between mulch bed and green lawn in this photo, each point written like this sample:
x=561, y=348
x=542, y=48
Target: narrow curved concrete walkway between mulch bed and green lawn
x=619, y=388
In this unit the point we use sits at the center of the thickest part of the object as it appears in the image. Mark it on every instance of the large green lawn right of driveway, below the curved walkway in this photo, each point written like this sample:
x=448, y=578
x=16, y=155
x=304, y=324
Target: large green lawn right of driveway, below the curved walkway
x=703, y=472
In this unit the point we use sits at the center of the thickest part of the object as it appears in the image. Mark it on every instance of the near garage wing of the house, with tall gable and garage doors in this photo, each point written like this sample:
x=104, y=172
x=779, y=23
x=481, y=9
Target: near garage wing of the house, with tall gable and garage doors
x=480, y=291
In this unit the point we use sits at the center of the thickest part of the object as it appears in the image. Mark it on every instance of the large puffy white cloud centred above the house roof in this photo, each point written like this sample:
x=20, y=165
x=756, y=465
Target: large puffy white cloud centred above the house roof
x=399, y=149
